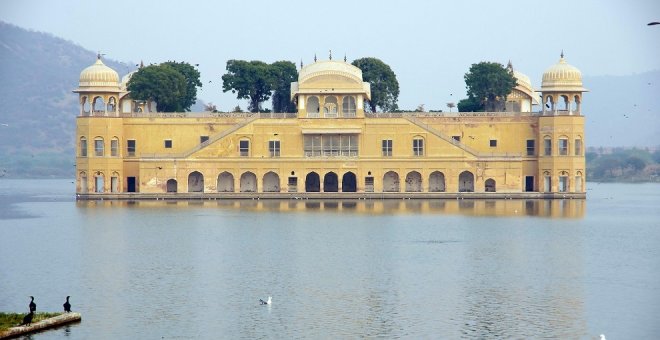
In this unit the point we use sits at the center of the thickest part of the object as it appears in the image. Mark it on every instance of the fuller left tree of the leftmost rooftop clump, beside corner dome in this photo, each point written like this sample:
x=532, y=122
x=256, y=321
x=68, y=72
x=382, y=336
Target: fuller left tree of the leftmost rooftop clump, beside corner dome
x=162, y=84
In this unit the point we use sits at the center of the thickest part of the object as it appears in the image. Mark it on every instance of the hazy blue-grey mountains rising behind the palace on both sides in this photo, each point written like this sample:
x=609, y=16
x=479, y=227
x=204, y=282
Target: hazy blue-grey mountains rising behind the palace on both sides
x=38, y=71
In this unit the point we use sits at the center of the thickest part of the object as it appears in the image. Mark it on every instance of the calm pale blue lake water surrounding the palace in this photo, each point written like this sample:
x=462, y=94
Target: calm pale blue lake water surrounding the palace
x=337, y=269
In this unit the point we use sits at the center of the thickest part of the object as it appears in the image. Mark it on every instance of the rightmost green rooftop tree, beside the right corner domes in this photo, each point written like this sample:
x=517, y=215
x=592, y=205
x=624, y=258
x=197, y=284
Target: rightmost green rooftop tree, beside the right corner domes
x=490, y=83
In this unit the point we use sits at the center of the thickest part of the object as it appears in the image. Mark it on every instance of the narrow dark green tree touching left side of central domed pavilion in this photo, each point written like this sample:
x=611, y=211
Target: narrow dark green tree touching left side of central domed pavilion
x=283, y=73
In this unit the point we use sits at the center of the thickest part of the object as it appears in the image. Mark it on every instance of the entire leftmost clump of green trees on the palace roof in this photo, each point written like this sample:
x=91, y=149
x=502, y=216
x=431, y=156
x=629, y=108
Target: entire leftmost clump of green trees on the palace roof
x=173, y=86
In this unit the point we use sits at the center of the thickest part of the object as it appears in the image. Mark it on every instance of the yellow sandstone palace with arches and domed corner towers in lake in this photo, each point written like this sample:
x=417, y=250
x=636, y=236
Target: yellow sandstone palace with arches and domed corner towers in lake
x=331, y=147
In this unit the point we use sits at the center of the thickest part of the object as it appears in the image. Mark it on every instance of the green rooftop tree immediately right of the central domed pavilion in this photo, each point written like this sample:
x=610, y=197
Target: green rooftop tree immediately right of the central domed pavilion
x=384, y=86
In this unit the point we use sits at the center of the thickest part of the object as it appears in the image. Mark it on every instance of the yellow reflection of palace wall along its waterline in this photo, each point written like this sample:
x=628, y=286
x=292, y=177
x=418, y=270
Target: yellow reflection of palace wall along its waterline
x=565, y=208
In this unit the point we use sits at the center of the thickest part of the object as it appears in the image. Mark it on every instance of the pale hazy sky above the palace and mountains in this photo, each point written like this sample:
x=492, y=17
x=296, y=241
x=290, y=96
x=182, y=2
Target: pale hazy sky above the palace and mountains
x=429, y=44
